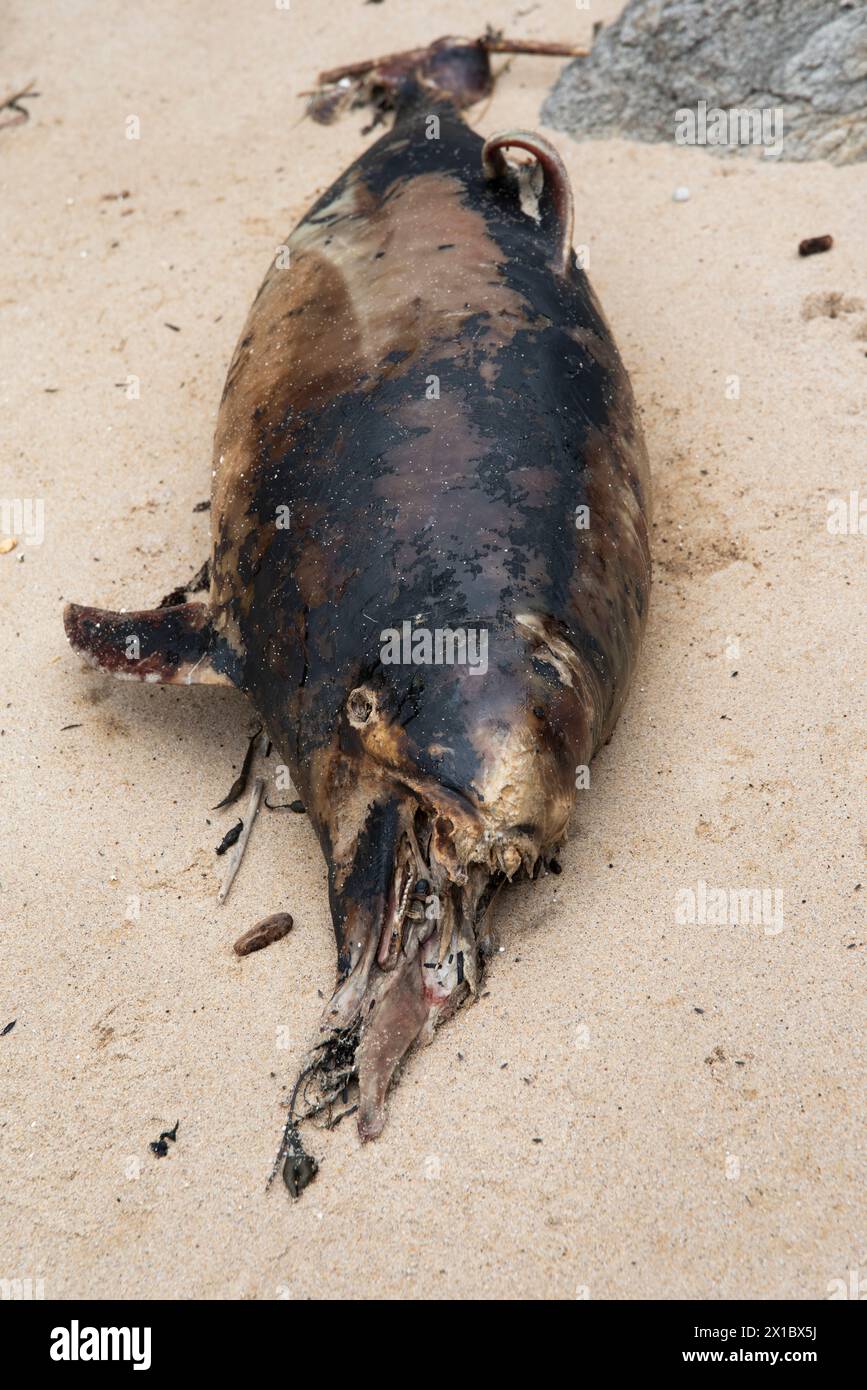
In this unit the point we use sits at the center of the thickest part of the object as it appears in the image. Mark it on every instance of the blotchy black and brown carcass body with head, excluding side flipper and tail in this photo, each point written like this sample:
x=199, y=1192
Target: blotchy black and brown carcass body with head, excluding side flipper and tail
x=420, y=402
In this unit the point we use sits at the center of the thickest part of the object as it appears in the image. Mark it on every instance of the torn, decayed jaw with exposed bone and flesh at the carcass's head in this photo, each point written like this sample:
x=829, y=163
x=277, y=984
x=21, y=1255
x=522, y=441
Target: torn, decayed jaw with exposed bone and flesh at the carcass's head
x=412, y=967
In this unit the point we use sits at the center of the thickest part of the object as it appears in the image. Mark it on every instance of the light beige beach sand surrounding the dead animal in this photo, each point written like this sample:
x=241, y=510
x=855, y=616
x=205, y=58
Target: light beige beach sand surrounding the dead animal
x=698, y=1090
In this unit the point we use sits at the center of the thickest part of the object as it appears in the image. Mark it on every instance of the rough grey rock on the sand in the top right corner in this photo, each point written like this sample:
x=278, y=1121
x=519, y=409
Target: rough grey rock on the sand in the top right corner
x=805, y=60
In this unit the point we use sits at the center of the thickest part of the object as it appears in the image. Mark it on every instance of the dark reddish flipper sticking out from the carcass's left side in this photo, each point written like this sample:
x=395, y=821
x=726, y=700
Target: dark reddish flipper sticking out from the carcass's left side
x=176, y=646
